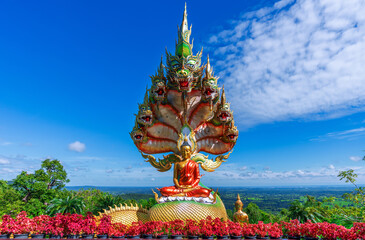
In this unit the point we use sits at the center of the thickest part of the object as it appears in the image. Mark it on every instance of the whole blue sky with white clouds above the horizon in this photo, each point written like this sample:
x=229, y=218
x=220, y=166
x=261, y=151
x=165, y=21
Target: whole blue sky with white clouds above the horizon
x=72, y=73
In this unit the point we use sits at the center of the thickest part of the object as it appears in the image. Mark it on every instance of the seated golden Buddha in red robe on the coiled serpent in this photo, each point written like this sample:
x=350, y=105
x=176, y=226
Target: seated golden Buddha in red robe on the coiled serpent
x=186, y=177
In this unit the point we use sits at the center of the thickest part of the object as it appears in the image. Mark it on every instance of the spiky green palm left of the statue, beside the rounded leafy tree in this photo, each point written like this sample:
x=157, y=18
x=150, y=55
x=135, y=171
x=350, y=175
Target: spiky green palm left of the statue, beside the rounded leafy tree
x=66, y=205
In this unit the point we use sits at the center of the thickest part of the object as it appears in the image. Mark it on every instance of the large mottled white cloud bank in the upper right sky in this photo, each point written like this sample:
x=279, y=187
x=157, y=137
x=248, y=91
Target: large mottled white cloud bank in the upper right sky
x=299, y=59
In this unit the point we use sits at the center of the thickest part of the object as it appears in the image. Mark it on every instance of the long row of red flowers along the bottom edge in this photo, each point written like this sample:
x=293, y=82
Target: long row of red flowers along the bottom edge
x=76, y=225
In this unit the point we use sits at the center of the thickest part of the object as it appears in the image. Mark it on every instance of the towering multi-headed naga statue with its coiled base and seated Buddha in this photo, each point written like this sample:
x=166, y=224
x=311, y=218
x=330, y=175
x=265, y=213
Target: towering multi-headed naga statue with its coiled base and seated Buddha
x=184, y=113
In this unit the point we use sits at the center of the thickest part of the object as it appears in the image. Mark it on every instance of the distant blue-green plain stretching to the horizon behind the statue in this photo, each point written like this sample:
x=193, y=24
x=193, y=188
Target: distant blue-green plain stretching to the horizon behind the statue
x=269, y=199
